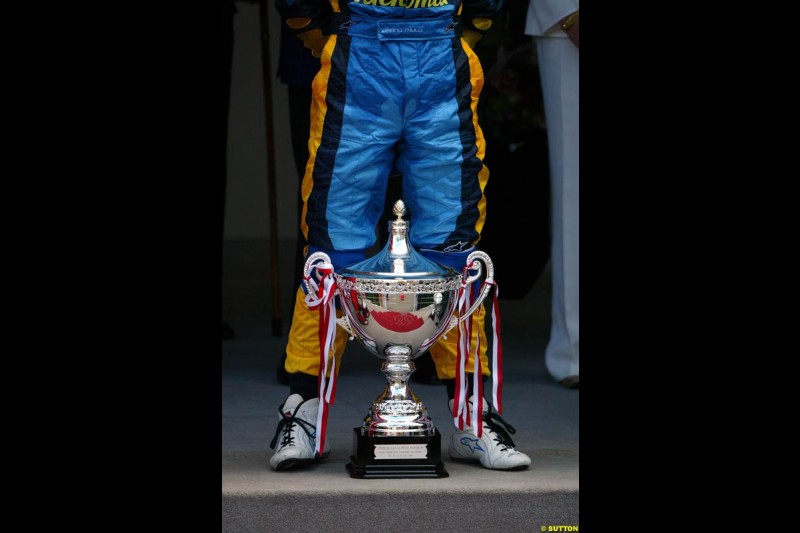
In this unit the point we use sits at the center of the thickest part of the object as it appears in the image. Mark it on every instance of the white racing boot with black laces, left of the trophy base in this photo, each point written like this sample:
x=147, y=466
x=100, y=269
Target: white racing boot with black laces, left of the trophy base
x=297, y=432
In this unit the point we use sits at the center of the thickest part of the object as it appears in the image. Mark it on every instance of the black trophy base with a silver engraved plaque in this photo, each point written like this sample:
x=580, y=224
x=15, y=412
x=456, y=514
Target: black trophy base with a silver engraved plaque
x=385, y=457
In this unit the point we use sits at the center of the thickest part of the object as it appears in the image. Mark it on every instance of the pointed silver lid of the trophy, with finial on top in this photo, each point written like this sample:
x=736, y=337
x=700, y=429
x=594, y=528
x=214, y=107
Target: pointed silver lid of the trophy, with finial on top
x=398, y=259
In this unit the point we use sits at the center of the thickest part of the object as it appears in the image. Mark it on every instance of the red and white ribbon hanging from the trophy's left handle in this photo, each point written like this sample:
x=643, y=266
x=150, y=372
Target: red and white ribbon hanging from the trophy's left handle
x=322, y=298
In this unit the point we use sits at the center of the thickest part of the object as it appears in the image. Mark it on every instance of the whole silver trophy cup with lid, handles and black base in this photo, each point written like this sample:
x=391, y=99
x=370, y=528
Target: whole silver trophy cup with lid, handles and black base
x=398, y=304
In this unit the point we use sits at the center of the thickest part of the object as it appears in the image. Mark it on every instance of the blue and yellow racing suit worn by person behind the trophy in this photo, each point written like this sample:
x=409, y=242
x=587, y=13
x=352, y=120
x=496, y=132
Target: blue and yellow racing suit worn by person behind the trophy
x=398, y=86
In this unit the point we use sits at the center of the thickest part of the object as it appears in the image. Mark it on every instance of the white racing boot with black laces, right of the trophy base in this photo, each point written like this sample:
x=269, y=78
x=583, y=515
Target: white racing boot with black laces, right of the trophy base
x=494, y=450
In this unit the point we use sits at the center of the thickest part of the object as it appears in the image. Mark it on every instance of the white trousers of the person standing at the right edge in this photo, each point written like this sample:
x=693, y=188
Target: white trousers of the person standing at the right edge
x=558, y=70
